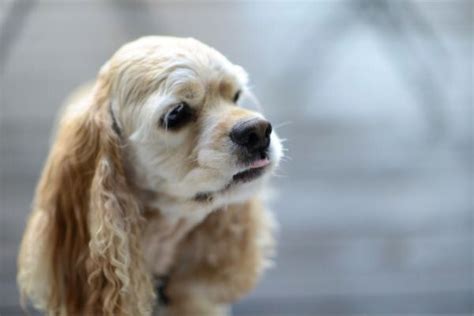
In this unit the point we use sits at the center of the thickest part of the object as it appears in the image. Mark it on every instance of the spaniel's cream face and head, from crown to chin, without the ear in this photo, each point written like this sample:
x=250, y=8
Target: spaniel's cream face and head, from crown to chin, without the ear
x=176, y=101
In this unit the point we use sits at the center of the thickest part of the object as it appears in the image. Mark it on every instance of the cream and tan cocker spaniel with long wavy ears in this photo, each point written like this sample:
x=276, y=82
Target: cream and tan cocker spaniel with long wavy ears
x=151, y=190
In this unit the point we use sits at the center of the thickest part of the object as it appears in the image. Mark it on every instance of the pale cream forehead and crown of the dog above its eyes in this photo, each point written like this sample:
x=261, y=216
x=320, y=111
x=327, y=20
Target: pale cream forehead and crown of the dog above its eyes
x=171, y=66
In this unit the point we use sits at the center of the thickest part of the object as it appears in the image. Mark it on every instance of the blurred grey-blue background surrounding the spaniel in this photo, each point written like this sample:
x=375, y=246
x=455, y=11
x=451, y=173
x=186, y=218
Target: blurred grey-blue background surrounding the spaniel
x=374, y=99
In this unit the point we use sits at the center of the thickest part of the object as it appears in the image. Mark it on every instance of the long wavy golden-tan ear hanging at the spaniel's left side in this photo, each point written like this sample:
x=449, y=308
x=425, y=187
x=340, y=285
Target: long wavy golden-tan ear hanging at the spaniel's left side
x=82, y=238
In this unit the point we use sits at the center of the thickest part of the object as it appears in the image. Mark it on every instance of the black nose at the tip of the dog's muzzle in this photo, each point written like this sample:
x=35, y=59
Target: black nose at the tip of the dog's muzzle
x=254, y=134
